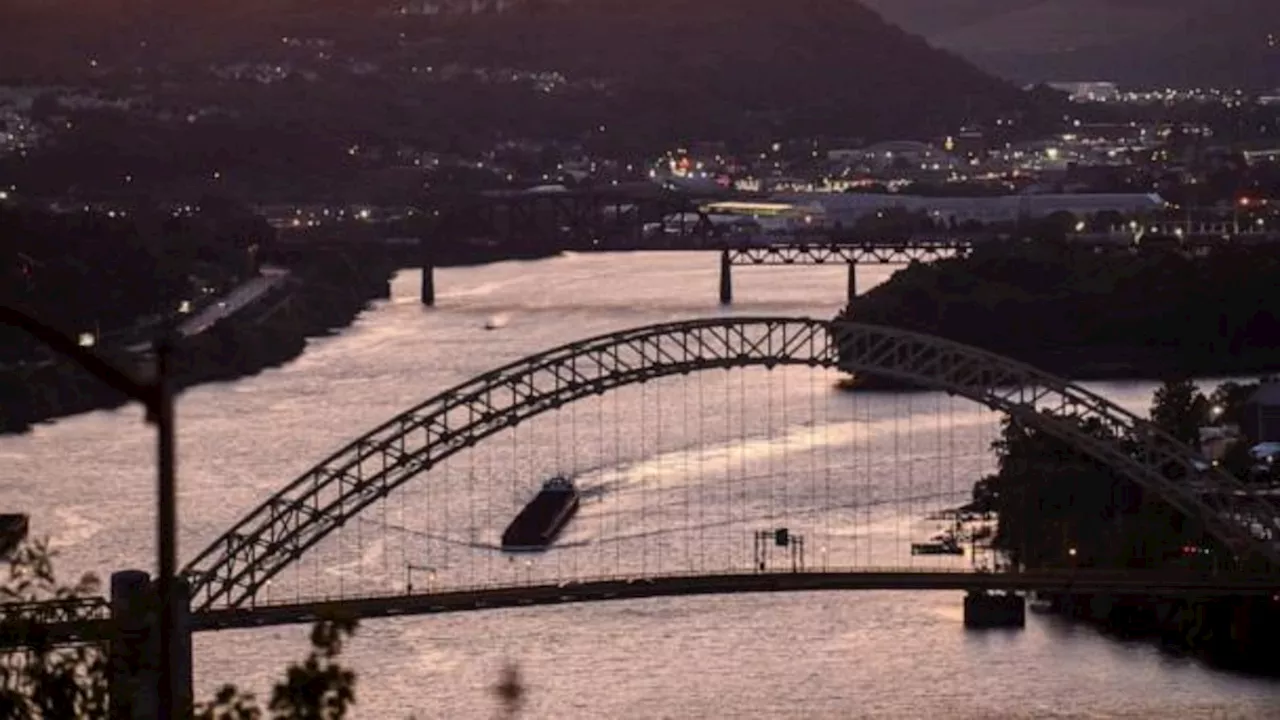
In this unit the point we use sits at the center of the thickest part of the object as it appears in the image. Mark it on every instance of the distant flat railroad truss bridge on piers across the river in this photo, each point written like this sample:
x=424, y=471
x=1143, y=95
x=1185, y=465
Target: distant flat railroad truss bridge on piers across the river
x=646, y=217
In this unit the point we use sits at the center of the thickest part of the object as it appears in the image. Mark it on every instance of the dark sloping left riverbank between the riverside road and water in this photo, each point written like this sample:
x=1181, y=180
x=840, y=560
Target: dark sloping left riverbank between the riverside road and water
x=326, y=294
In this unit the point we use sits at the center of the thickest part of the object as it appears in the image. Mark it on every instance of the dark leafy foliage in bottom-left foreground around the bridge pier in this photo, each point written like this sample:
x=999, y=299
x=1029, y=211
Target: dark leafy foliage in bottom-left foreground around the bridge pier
x=49, y=682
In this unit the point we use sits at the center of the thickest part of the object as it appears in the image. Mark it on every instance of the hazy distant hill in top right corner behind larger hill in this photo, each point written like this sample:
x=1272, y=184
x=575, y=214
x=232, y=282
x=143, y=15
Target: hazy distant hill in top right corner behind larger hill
x=1182, y=43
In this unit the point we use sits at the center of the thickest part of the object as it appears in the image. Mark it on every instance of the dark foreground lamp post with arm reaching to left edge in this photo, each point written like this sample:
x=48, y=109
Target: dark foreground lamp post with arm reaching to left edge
x=158, y=399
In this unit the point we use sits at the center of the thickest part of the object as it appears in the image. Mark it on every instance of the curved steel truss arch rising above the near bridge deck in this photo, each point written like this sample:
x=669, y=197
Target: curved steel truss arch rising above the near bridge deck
x=231, y=571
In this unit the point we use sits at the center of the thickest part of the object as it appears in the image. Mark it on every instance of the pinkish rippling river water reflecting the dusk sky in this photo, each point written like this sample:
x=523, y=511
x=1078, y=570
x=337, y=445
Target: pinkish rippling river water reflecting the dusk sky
x=88, y=484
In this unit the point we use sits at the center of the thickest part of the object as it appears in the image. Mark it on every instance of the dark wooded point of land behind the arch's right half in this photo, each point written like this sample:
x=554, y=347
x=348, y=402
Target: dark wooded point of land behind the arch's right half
x=1085, y=315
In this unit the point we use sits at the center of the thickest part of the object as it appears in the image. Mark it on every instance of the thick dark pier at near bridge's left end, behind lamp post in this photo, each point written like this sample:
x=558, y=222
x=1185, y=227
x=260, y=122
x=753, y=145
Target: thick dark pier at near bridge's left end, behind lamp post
x=134, y=673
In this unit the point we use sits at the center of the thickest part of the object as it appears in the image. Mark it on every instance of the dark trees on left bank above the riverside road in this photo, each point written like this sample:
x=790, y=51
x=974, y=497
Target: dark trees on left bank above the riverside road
x=89, y=271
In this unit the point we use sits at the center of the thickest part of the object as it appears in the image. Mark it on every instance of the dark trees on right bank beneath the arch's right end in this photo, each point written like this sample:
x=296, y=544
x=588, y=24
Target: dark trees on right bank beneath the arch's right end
x=1063, y=509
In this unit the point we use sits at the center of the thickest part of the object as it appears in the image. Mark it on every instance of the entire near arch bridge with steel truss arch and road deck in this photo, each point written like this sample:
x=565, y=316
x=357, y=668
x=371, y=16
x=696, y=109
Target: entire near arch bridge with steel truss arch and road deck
x=228, y=578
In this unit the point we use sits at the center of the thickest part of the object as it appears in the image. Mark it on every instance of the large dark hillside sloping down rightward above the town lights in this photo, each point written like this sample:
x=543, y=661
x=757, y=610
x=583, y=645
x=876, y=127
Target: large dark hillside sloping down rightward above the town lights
x=641, y=79
